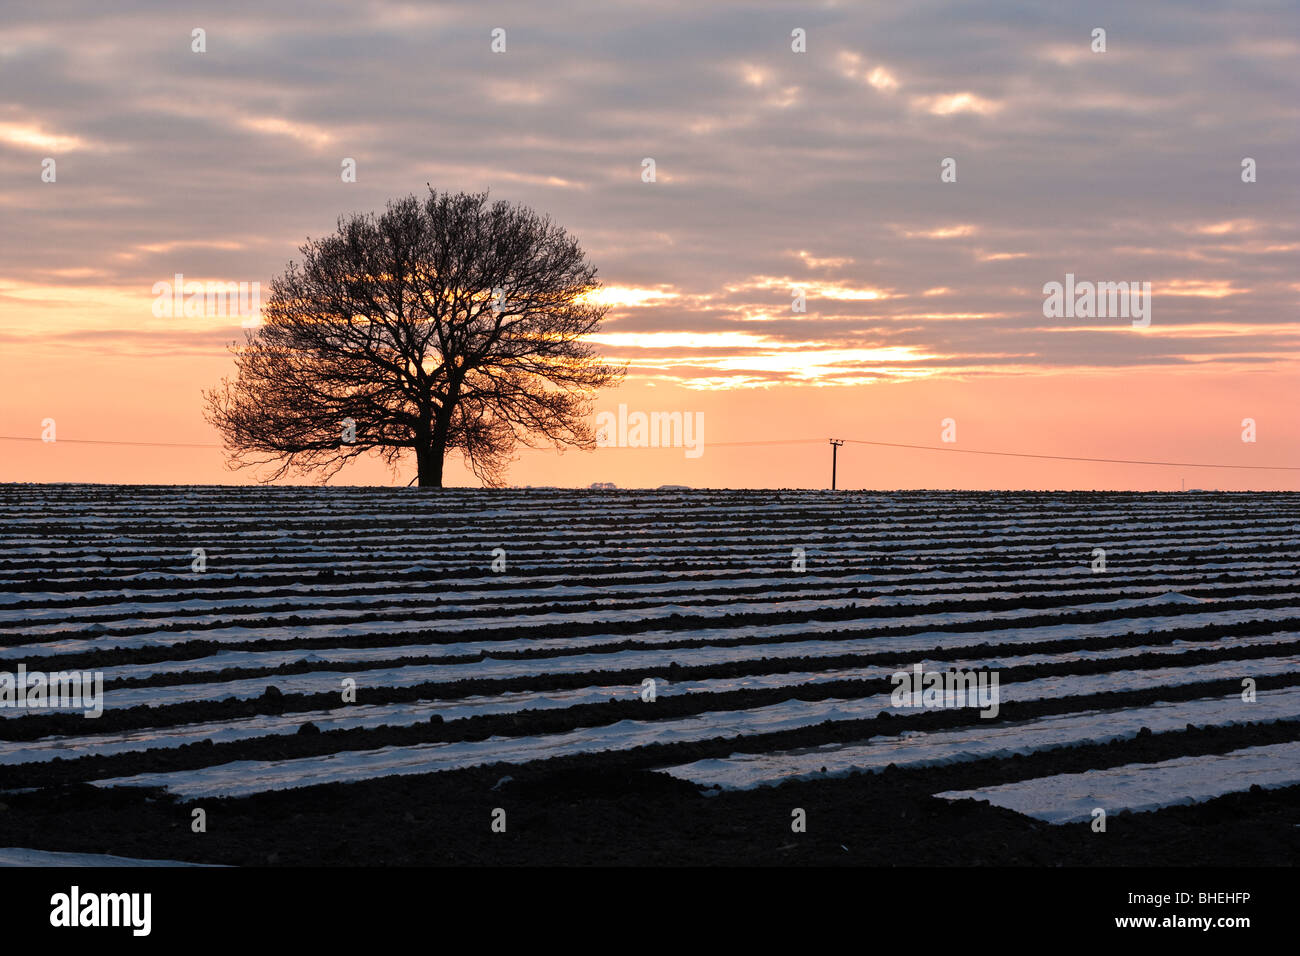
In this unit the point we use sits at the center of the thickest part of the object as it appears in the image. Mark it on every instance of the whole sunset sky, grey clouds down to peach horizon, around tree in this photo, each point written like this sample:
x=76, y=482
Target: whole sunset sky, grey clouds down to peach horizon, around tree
x=775, y=172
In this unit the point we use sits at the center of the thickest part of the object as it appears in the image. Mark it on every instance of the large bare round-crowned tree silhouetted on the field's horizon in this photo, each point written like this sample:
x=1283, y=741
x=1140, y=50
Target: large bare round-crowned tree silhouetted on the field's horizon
x=450, y=325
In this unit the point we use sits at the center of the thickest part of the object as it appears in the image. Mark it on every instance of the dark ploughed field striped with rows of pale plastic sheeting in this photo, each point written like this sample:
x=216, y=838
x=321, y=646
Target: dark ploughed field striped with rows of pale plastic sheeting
x=357, y=676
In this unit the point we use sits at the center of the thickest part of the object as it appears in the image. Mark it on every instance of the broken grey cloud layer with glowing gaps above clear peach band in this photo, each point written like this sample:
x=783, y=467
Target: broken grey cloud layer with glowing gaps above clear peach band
x=775, y=171
